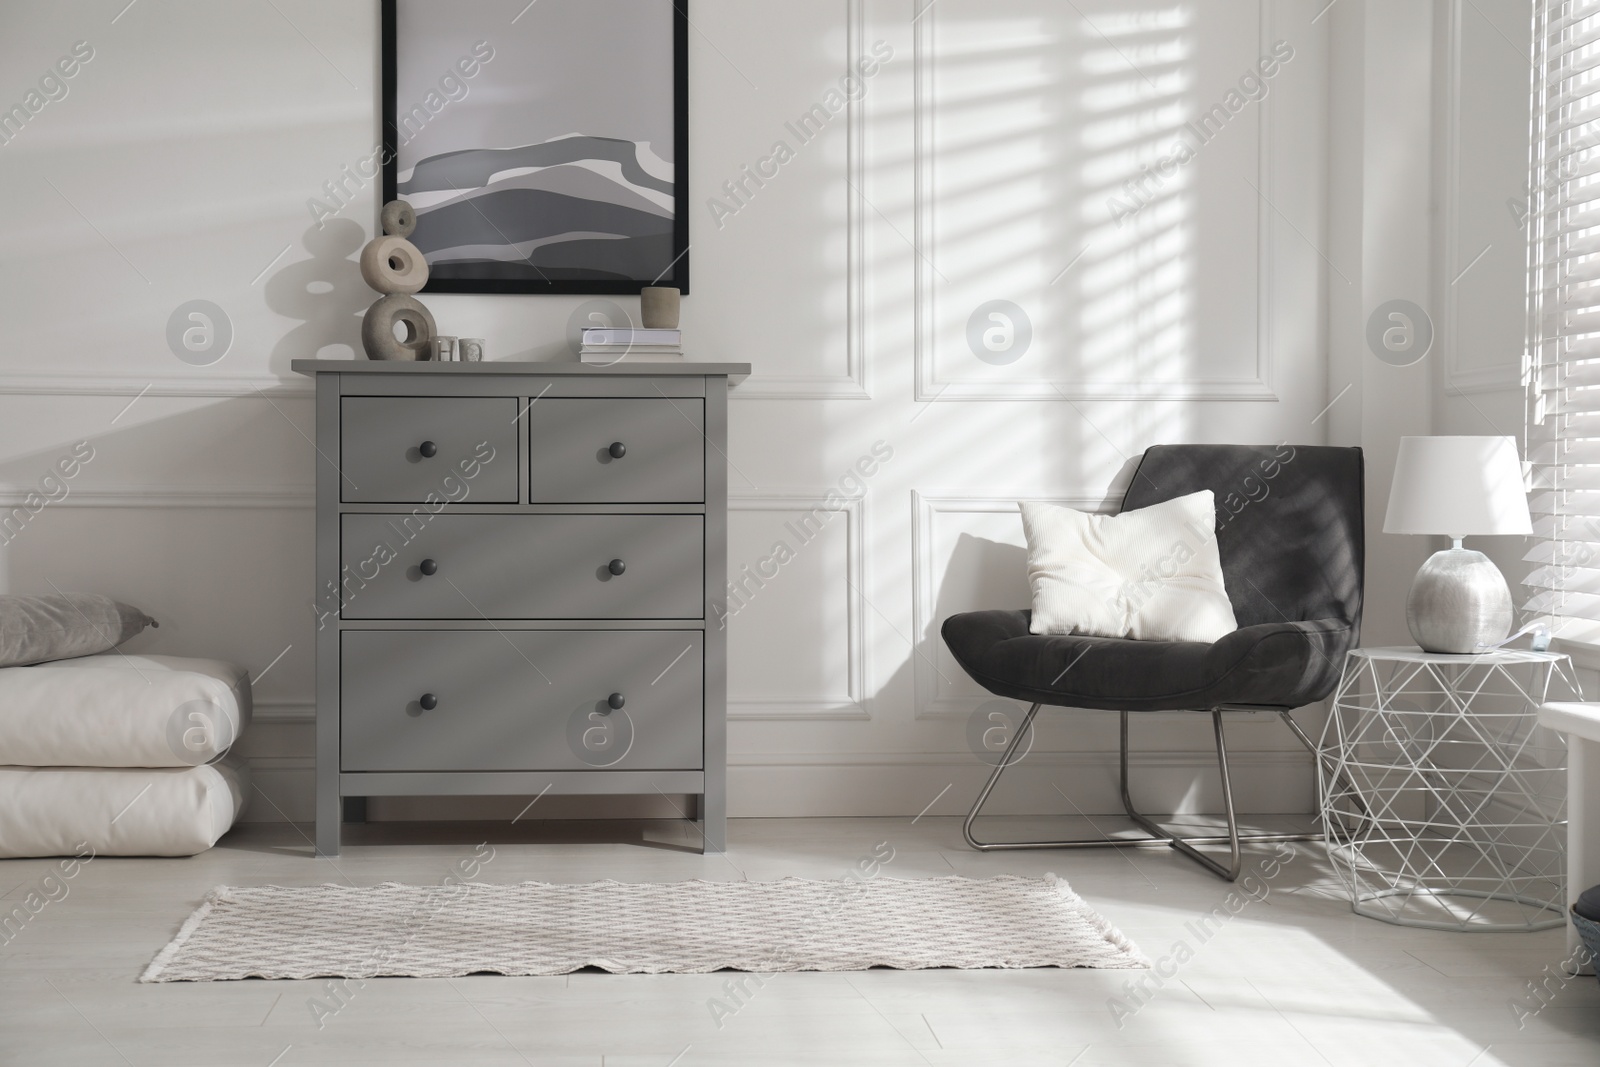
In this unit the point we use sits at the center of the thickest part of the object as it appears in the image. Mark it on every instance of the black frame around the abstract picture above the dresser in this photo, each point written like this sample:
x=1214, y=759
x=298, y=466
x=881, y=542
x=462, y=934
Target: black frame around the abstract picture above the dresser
x=678, y=273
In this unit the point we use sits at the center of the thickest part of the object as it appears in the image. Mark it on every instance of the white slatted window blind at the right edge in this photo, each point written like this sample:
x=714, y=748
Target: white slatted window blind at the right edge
x=1562, y=361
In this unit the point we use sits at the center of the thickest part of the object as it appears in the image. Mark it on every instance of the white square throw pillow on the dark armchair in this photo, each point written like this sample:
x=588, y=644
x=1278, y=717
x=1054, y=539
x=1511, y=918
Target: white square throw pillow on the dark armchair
x=1153, y=575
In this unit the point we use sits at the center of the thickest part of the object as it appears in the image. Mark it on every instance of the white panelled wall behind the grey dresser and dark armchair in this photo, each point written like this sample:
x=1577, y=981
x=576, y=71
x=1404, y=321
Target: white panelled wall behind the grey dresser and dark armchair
x=978, y=167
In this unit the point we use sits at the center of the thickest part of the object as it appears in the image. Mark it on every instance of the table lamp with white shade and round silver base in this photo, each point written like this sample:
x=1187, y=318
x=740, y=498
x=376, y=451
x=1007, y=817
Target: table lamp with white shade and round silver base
x=1458, y=487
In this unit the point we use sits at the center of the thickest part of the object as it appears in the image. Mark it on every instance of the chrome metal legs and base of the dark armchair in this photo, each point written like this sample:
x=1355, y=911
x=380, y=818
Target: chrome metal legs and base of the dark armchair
x=1159, y=836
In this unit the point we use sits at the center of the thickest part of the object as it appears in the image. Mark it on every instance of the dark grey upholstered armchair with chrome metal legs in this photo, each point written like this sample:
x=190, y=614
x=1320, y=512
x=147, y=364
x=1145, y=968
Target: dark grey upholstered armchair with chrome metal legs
x=1290, y=533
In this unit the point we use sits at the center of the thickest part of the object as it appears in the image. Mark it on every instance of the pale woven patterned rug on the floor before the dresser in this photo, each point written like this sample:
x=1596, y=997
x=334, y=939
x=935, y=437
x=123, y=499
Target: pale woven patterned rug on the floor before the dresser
x=639, y=929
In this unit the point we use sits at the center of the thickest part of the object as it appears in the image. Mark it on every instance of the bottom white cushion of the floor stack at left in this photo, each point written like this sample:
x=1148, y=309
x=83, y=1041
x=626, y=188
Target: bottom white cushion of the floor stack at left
x=135, y=812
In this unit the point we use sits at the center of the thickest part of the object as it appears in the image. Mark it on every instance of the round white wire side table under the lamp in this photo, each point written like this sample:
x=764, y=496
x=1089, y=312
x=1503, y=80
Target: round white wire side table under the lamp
x=1444, y=804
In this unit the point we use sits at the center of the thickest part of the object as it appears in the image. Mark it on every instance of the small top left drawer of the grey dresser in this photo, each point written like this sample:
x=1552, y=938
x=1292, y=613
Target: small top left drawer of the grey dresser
x=401, y=450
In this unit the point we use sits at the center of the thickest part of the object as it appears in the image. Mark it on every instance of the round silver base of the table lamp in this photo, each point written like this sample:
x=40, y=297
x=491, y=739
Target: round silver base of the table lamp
x=1460, y=604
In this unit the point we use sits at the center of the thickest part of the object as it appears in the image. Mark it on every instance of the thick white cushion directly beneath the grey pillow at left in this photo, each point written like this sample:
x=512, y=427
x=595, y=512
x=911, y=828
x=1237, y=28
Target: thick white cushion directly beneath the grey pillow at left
x=122, y=711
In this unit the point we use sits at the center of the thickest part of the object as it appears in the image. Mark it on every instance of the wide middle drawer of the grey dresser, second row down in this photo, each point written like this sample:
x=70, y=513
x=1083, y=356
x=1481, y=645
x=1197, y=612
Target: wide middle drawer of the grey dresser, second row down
x=522, y=567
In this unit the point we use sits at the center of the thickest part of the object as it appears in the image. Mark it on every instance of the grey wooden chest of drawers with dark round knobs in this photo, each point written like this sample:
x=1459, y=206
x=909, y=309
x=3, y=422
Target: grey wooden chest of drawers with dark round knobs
x=516, y=569
